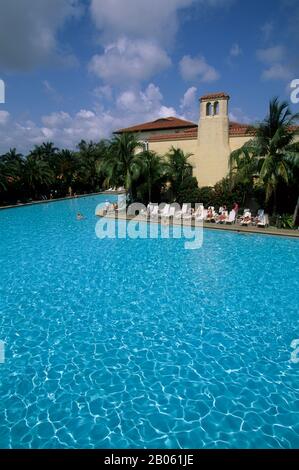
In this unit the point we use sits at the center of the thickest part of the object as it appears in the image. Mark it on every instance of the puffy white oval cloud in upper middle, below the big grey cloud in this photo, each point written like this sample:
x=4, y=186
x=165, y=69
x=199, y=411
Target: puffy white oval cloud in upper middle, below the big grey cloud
x=127, y=60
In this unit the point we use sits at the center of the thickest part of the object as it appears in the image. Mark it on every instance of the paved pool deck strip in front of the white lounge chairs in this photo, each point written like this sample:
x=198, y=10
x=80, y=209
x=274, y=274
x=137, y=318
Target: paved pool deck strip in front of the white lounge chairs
x=213, y=226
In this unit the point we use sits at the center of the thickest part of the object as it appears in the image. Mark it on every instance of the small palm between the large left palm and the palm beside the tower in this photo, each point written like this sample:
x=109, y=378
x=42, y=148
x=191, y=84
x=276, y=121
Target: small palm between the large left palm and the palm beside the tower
x=153, y=170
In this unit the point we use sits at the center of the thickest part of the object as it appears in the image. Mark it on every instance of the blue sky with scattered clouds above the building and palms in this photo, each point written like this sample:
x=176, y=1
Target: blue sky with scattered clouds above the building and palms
x=82, y=68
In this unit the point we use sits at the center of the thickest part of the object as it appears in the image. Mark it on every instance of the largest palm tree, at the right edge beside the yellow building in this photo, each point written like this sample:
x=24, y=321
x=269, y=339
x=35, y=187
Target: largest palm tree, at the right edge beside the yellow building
x=270, y=157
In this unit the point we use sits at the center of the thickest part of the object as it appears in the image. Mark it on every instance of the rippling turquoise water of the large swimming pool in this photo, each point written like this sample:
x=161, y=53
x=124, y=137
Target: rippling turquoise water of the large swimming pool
x=141, y=343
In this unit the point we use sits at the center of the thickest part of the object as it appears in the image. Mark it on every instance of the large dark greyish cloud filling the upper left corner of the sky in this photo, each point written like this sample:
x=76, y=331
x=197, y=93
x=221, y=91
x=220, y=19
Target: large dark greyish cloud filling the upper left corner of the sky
x=28, y=31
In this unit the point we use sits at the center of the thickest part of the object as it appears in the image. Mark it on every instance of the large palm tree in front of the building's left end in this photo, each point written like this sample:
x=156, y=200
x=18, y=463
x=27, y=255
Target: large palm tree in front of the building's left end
x=122, y=162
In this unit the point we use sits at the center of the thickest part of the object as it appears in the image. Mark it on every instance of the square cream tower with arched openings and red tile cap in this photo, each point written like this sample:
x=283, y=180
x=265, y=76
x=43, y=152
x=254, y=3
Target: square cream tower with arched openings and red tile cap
x=213, y=139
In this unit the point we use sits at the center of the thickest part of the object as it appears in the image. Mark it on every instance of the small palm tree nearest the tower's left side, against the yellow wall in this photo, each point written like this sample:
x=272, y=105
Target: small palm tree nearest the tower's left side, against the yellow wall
x=178, y=167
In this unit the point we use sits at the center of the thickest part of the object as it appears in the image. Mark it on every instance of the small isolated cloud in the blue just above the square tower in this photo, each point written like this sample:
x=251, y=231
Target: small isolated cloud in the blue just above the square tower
x=197, y=69
